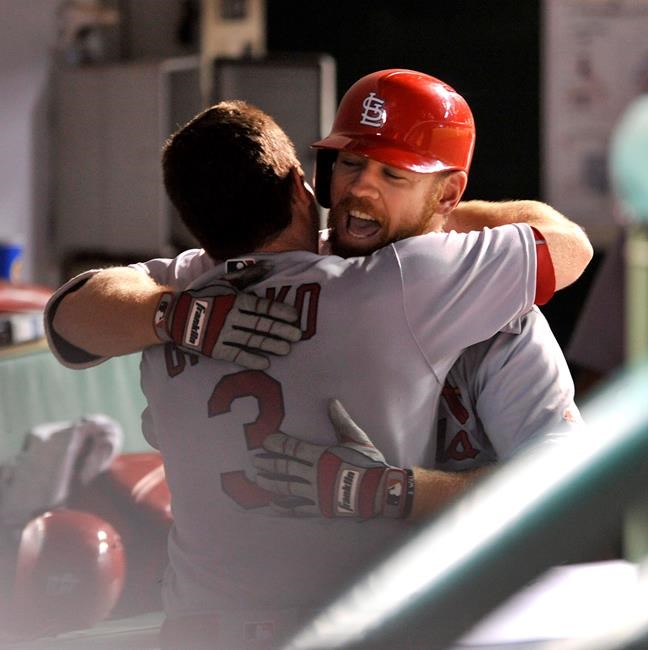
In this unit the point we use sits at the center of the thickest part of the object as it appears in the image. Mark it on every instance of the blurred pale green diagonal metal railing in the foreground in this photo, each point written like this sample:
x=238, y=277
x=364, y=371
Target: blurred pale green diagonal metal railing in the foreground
x=560, y=495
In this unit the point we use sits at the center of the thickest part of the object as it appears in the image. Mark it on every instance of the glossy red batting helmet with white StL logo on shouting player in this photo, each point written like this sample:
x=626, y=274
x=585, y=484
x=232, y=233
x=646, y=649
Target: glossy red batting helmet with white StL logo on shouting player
x=402, y=118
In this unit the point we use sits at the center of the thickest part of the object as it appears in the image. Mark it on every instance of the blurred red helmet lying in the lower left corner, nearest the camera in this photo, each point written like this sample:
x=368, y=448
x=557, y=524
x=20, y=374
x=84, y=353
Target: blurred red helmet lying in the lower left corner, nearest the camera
x=69, y=573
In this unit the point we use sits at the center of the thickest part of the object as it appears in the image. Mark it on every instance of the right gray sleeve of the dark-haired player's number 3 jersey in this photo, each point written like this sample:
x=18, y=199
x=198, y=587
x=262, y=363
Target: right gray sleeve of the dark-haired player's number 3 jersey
x=469, y=288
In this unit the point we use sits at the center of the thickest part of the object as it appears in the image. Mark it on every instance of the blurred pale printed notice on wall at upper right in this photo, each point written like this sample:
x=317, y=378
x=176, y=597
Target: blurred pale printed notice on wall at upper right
x=595, y=61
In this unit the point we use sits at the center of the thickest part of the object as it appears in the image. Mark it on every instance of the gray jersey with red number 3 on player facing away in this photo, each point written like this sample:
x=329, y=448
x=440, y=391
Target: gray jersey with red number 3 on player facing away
x=380, y=333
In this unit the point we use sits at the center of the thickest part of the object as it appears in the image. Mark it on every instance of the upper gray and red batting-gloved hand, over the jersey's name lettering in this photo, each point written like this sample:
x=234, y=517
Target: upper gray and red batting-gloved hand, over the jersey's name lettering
x=220, y=322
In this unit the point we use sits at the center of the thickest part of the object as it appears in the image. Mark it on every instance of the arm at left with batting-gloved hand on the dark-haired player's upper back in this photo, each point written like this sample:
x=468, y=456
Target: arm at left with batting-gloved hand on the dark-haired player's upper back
x=122, y=310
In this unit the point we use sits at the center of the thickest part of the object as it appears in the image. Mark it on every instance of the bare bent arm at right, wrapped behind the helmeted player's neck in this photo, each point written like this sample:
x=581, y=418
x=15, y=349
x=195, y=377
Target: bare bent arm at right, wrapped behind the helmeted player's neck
x=570, y=249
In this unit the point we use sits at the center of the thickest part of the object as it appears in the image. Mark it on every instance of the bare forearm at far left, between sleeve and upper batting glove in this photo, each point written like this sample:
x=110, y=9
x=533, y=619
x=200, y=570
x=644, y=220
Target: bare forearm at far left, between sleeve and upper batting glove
x=111, y=314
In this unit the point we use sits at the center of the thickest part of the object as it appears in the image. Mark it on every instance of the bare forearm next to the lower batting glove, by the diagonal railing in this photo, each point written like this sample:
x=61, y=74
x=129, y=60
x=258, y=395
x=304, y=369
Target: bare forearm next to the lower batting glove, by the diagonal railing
x=435, y=488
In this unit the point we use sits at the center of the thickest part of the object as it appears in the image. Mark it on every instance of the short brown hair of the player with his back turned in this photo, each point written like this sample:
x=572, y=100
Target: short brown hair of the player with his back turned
x=227, y=173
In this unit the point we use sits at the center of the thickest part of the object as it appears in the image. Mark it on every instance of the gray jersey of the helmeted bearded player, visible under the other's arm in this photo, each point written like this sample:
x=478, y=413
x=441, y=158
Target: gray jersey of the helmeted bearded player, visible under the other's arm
x=502, y=393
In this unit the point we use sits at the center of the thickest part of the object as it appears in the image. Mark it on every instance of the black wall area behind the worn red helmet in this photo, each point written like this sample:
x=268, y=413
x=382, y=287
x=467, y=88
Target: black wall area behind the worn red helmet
x=488, y=51
